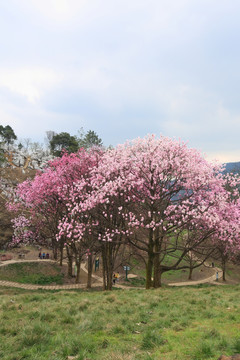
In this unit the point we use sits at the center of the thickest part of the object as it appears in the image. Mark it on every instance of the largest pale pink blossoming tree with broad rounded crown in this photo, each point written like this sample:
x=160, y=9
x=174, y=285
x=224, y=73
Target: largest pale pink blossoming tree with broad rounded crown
x=159, y=188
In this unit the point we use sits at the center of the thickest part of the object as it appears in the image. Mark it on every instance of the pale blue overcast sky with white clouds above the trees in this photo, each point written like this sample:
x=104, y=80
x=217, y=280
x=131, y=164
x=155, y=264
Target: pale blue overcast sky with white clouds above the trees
x=123, y=69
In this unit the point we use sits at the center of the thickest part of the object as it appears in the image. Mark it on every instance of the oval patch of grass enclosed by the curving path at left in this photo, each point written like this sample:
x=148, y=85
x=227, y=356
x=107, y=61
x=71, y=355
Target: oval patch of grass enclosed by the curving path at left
x=32, y=273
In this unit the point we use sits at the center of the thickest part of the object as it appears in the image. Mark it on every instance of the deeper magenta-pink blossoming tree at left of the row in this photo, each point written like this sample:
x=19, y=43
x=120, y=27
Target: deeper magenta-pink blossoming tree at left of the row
x=45, y=199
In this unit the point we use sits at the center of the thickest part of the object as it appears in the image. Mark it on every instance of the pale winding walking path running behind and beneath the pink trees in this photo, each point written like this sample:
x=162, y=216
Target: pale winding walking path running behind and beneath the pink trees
x=211, y=279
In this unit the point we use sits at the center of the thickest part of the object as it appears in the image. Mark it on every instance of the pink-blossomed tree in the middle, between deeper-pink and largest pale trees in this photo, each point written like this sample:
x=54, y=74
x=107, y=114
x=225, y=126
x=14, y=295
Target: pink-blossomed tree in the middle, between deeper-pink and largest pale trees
x=93, y=223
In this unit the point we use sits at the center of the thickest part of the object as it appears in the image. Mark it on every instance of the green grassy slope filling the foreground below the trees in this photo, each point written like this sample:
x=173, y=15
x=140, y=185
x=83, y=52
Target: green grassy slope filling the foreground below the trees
x=170, y=323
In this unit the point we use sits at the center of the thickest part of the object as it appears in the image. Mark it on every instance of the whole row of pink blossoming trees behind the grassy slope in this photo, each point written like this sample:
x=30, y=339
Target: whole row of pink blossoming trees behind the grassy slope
x=153, y=195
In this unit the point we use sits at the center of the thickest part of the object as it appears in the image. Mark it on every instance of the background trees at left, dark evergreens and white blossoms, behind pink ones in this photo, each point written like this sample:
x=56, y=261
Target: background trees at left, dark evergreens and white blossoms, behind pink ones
x=20, y=157
